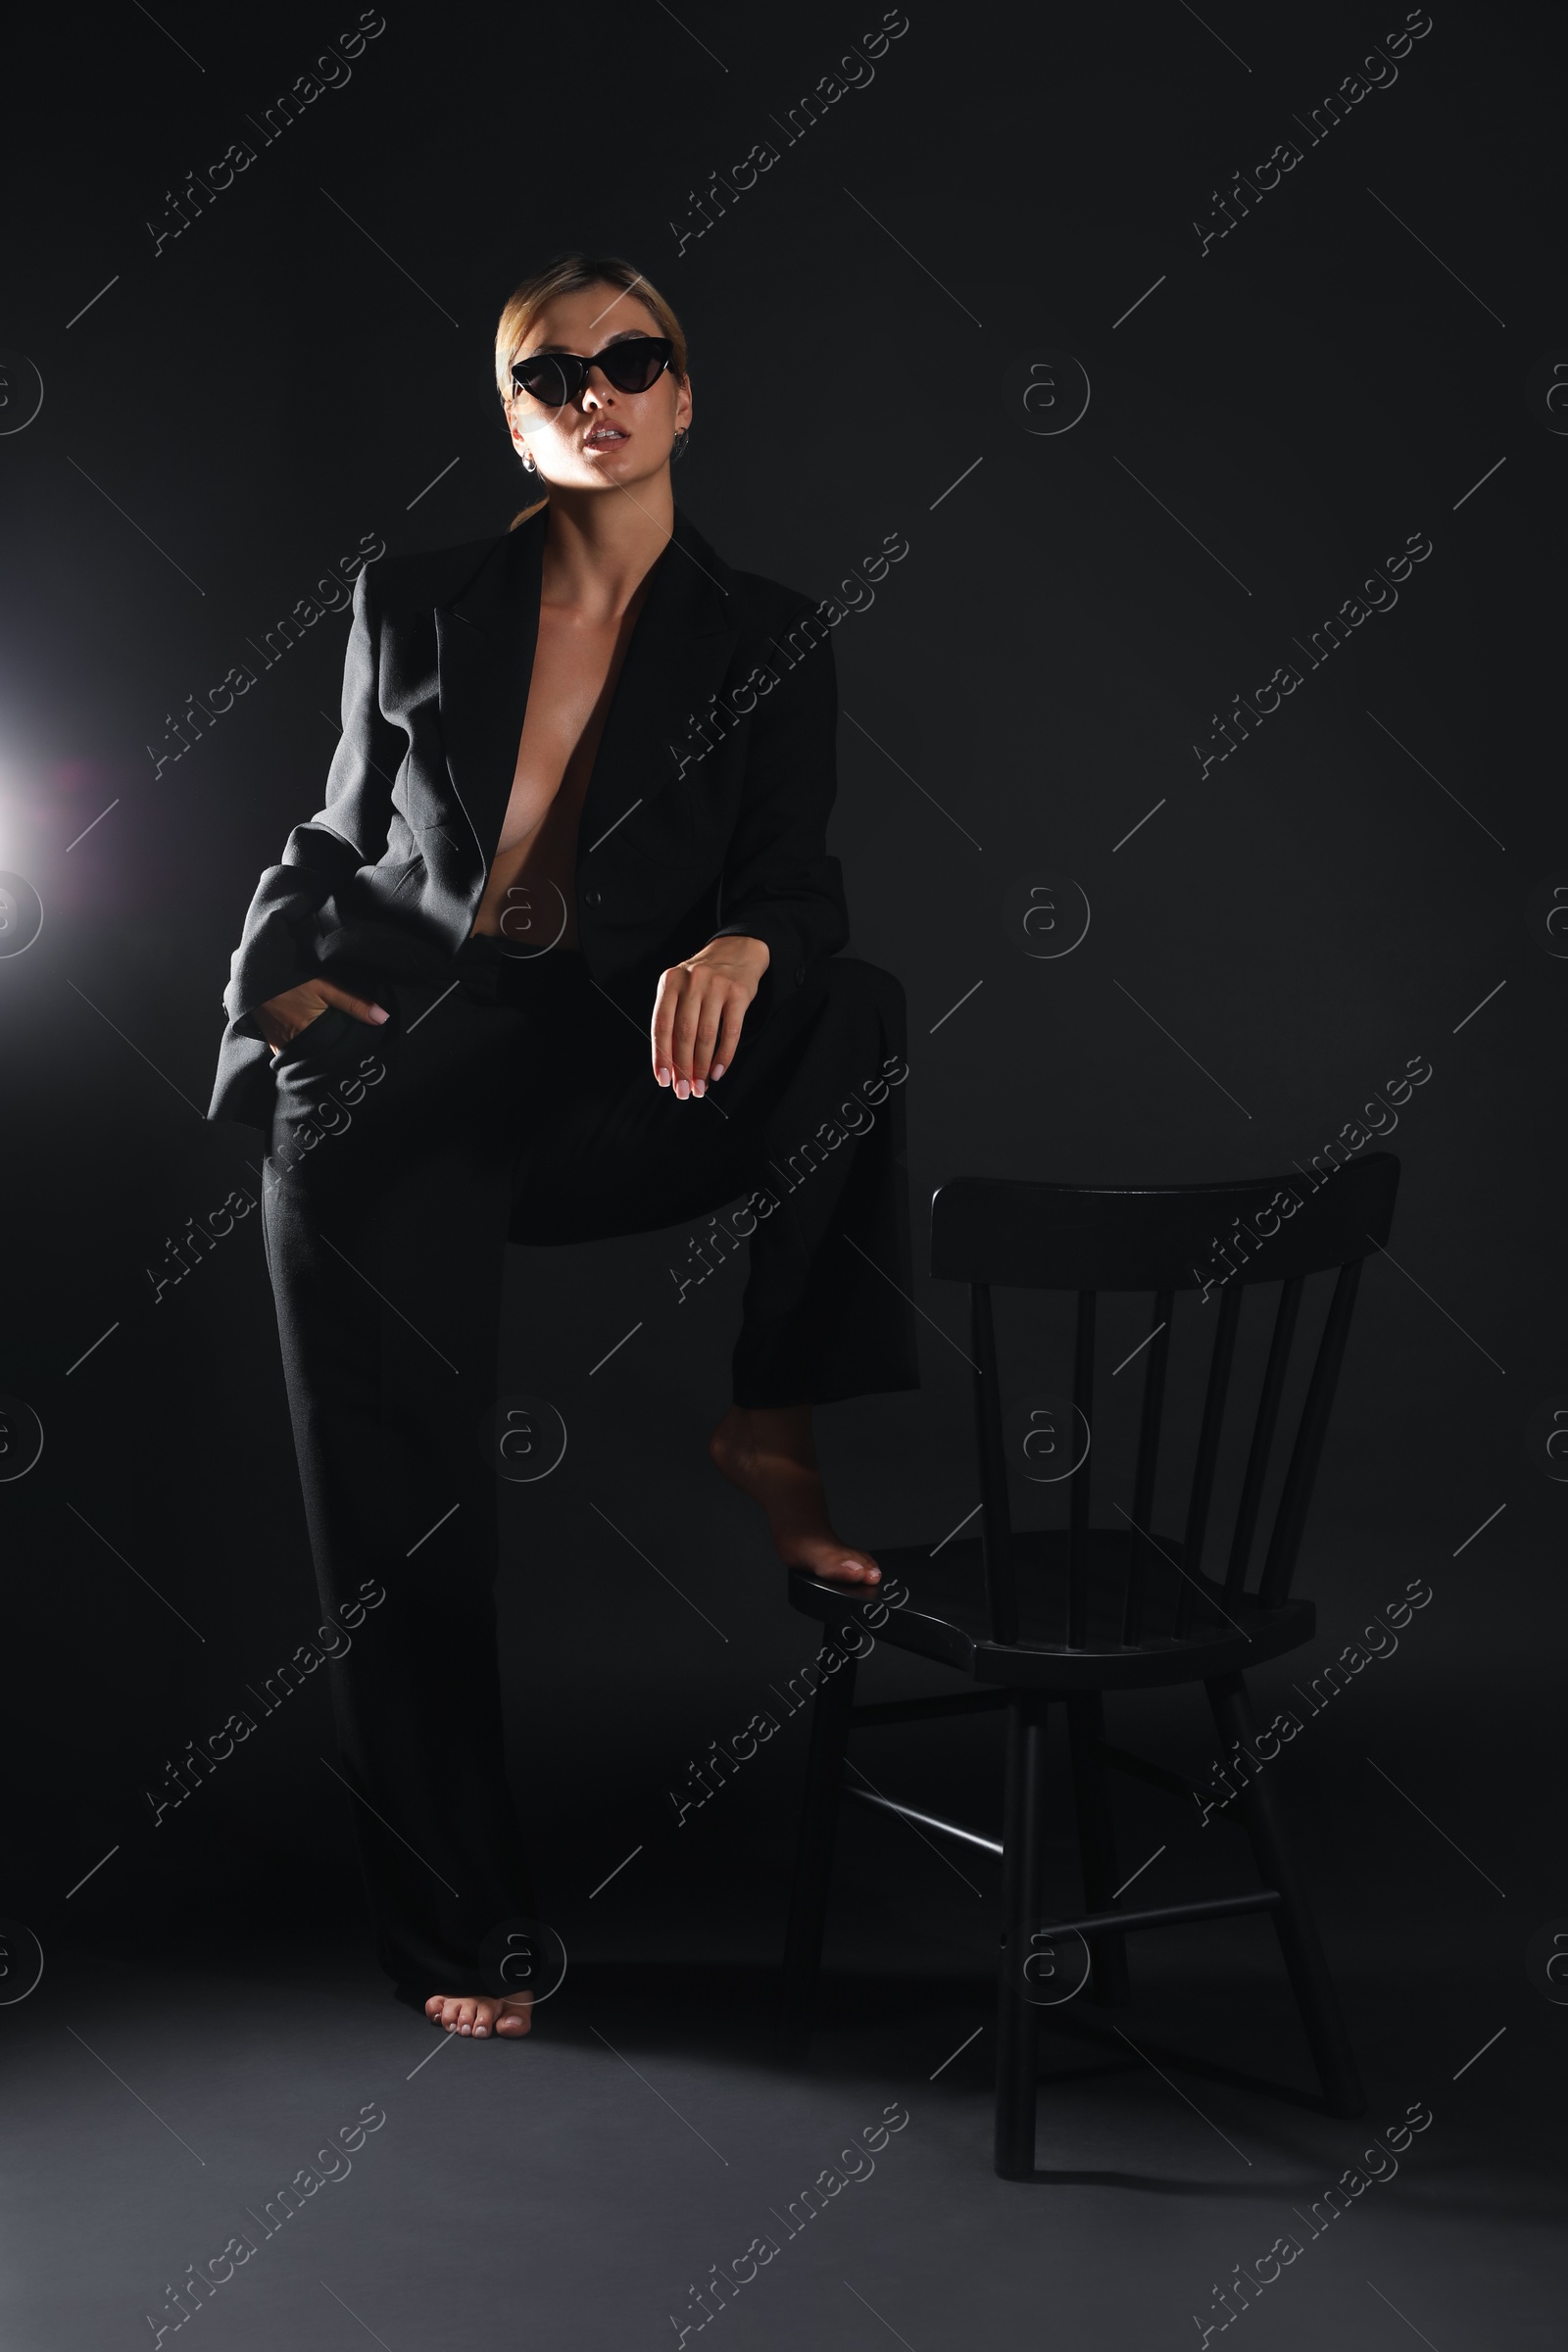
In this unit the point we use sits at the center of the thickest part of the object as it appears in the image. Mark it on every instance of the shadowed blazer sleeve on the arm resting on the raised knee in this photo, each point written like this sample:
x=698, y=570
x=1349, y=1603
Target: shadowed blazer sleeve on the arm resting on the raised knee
x=779, y=883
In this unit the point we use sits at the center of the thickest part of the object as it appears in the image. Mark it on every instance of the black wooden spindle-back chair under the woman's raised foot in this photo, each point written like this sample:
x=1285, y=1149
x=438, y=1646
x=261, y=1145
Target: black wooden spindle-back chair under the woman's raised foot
x=1040, y=1617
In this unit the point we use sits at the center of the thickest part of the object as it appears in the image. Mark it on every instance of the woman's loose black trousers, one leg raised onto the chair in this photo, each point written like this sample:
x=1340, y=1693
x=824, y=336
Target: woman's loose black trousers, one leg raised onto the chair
x=516, y=1102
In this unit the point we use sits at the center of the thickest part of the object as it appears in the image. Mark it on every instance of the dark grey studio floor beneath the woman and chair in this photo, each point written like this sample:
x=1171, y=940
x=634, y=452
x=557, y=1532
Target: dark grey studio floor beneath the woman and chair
x=577, y=2189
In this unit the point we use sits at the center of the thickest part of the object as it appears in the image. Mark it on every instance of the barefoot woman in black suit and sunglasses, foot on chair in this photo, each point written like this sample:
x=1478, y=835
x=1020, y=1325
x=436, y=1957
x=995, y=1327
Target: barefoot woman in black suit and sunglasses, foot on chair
x=556, y=961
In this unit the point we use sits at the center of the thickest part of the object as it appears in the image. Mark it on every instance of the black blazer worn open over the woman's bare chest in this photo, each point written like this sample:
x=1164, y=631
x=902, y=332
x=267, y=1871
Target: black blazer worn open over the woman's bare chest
x=706, y=808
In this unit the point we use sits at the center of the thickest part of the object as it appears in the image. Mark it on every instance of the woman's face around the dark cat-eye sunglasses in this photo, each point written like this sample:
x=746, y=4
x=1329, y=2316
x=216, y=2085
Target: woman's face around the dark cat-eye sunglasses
x=603, y=439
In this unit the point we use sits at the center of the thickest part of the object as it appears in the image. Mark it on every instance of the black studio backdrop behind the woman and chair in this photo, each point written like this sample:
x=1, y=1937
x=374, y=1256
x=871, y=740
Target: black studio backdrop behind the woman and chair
x=1266, y=951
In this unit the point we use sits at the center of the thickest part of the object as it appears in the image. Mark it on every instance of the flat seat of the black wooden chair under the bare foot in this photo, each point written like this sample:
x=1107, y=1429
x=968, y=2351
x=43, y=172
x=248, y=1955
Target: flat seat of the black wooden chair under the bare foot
x=946, y=1617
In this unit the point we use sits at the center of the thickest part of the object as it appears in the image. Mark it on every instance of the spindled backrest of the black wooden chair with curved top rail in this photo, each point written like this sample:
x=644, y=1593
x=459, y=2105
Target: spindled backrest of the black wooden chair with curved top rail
x=1217, y=1241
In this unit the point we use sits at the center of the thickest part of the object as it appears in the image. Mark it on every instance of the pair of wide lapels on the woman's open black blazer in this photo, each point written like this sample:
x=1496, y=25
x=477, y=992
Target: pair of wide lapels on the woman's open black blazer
x=678, y=655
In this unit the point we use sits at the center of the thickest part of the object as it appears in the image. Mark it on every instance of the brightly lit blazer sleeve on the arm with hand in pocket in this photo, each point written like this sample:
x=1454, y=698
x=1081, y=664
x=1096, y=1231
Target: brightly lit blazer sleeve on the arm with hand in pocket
x=326, y=853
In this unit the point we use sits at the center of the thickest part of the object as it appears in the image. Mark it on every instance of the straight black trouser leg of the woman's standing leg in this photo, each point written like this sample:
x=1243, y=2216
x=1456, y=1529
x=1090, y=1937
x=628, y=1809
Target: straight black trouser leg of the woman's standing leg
x=387, y=1224
